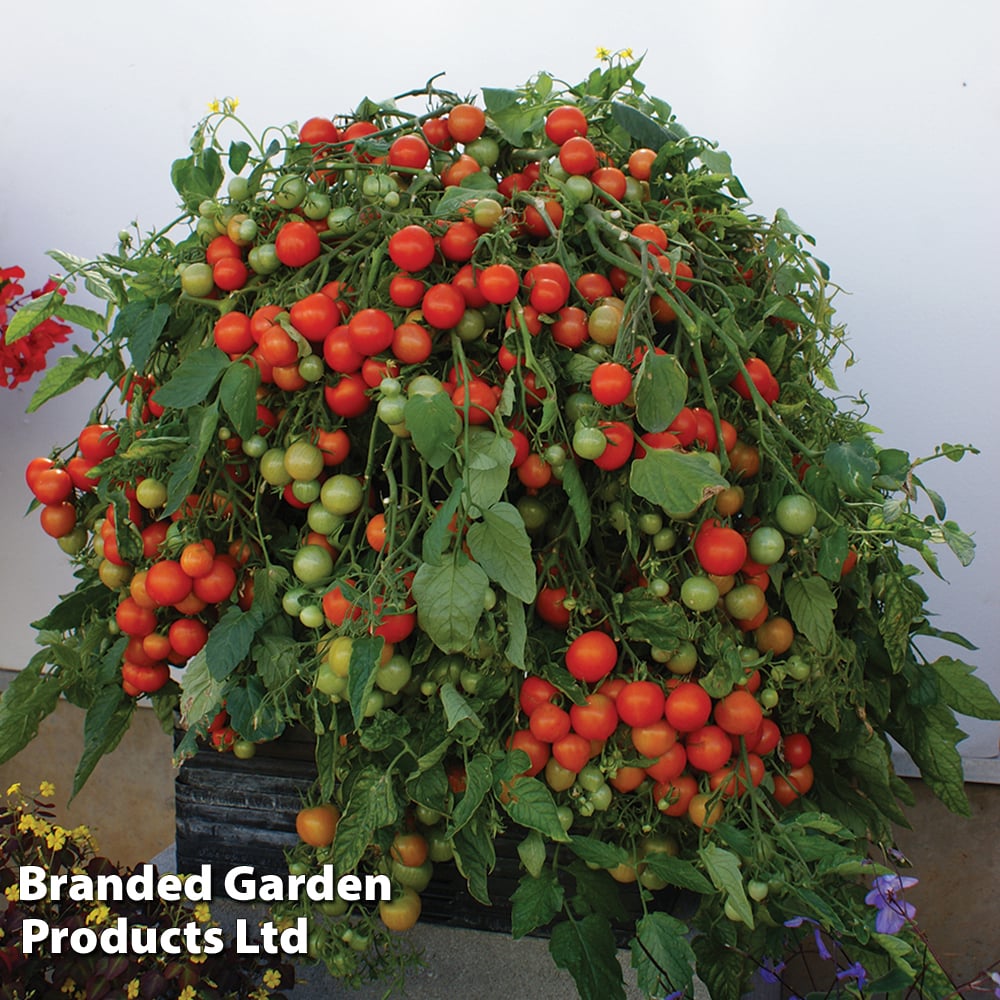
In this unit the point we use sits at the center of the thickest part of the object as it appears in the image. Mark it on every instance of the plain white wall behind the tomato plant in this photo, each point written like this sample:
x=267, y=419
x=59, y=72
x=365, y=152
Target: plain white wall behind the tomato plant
x=874, y=124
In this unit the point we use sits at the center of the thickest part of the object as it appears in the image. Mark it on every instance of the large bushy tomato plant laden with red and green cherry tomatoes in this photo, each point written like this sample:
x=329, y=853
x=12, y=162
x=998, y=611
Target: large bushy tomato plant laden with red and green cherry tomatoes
x=496, y=446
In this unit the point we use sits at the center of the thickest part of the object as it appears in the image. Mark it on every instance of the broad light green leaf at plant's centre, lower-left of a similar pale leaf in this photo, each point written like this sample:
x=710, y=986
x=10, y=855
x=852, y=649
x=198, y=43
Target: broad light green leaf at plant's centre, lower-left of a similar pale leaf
x=450, y=601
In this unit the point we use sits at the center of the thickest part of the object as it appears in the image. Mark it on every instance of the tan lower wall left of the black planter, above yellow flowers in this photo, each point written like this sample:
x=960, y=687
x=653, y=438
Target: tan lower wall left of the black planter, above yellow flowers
x=128, y=801
